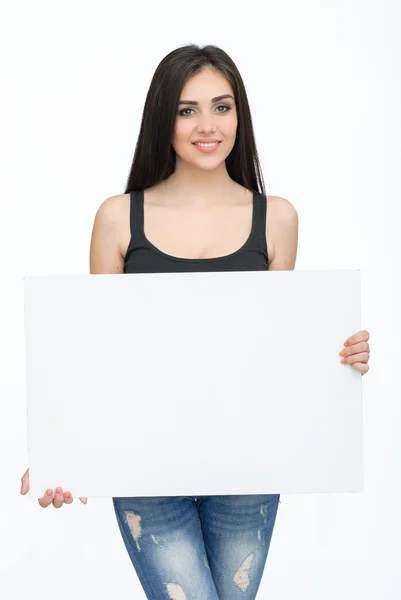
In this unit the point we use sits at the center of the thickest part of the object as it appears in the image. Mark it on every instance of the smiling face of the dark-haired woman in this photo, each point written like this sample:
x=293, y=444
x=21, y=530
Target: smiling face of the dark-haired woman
x=201, y=116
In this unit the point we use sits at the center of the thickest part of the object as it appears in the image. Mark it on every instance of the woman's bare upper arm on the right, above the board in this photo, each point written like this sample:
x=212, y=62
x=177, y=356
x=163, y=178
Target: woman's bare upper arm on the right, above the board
x=282, y=234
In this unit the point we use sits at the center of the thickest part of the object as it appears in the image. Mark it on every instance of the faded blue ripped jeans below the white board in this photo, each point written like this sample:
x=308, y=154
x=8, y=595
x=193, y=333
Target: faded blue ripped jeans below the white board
x=198, y=548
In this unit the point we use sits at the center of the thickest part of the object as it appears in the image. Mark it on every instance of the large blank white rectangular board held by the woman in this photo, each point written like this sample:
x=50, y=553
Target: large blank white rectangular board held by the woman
x=193, y=383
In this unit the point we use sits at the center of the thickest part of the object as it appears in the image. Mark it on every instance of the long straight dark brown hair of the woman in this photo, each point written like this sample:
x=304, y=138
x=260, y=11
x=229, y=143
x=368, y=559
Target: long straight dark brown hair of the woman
x=154, y=156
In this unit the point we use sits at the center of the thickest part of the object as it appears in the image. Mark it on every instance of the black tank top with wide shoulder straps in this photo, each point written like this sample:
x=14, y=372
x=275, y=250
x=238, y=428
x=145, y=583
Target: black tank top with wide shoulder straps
x=143, y=257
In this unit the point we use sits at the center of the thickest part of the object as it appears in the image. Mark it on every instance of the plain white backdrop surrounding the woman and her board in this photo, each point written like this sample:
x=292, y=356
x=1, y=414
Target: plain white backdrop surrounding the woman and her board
x=323, y=81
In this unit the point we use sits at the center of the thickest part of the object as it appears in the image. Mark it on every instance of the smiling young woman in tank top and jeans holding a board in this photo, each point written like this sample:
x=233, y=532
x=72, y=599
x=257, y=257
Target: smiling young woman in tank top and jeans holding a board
x=195, y=201
